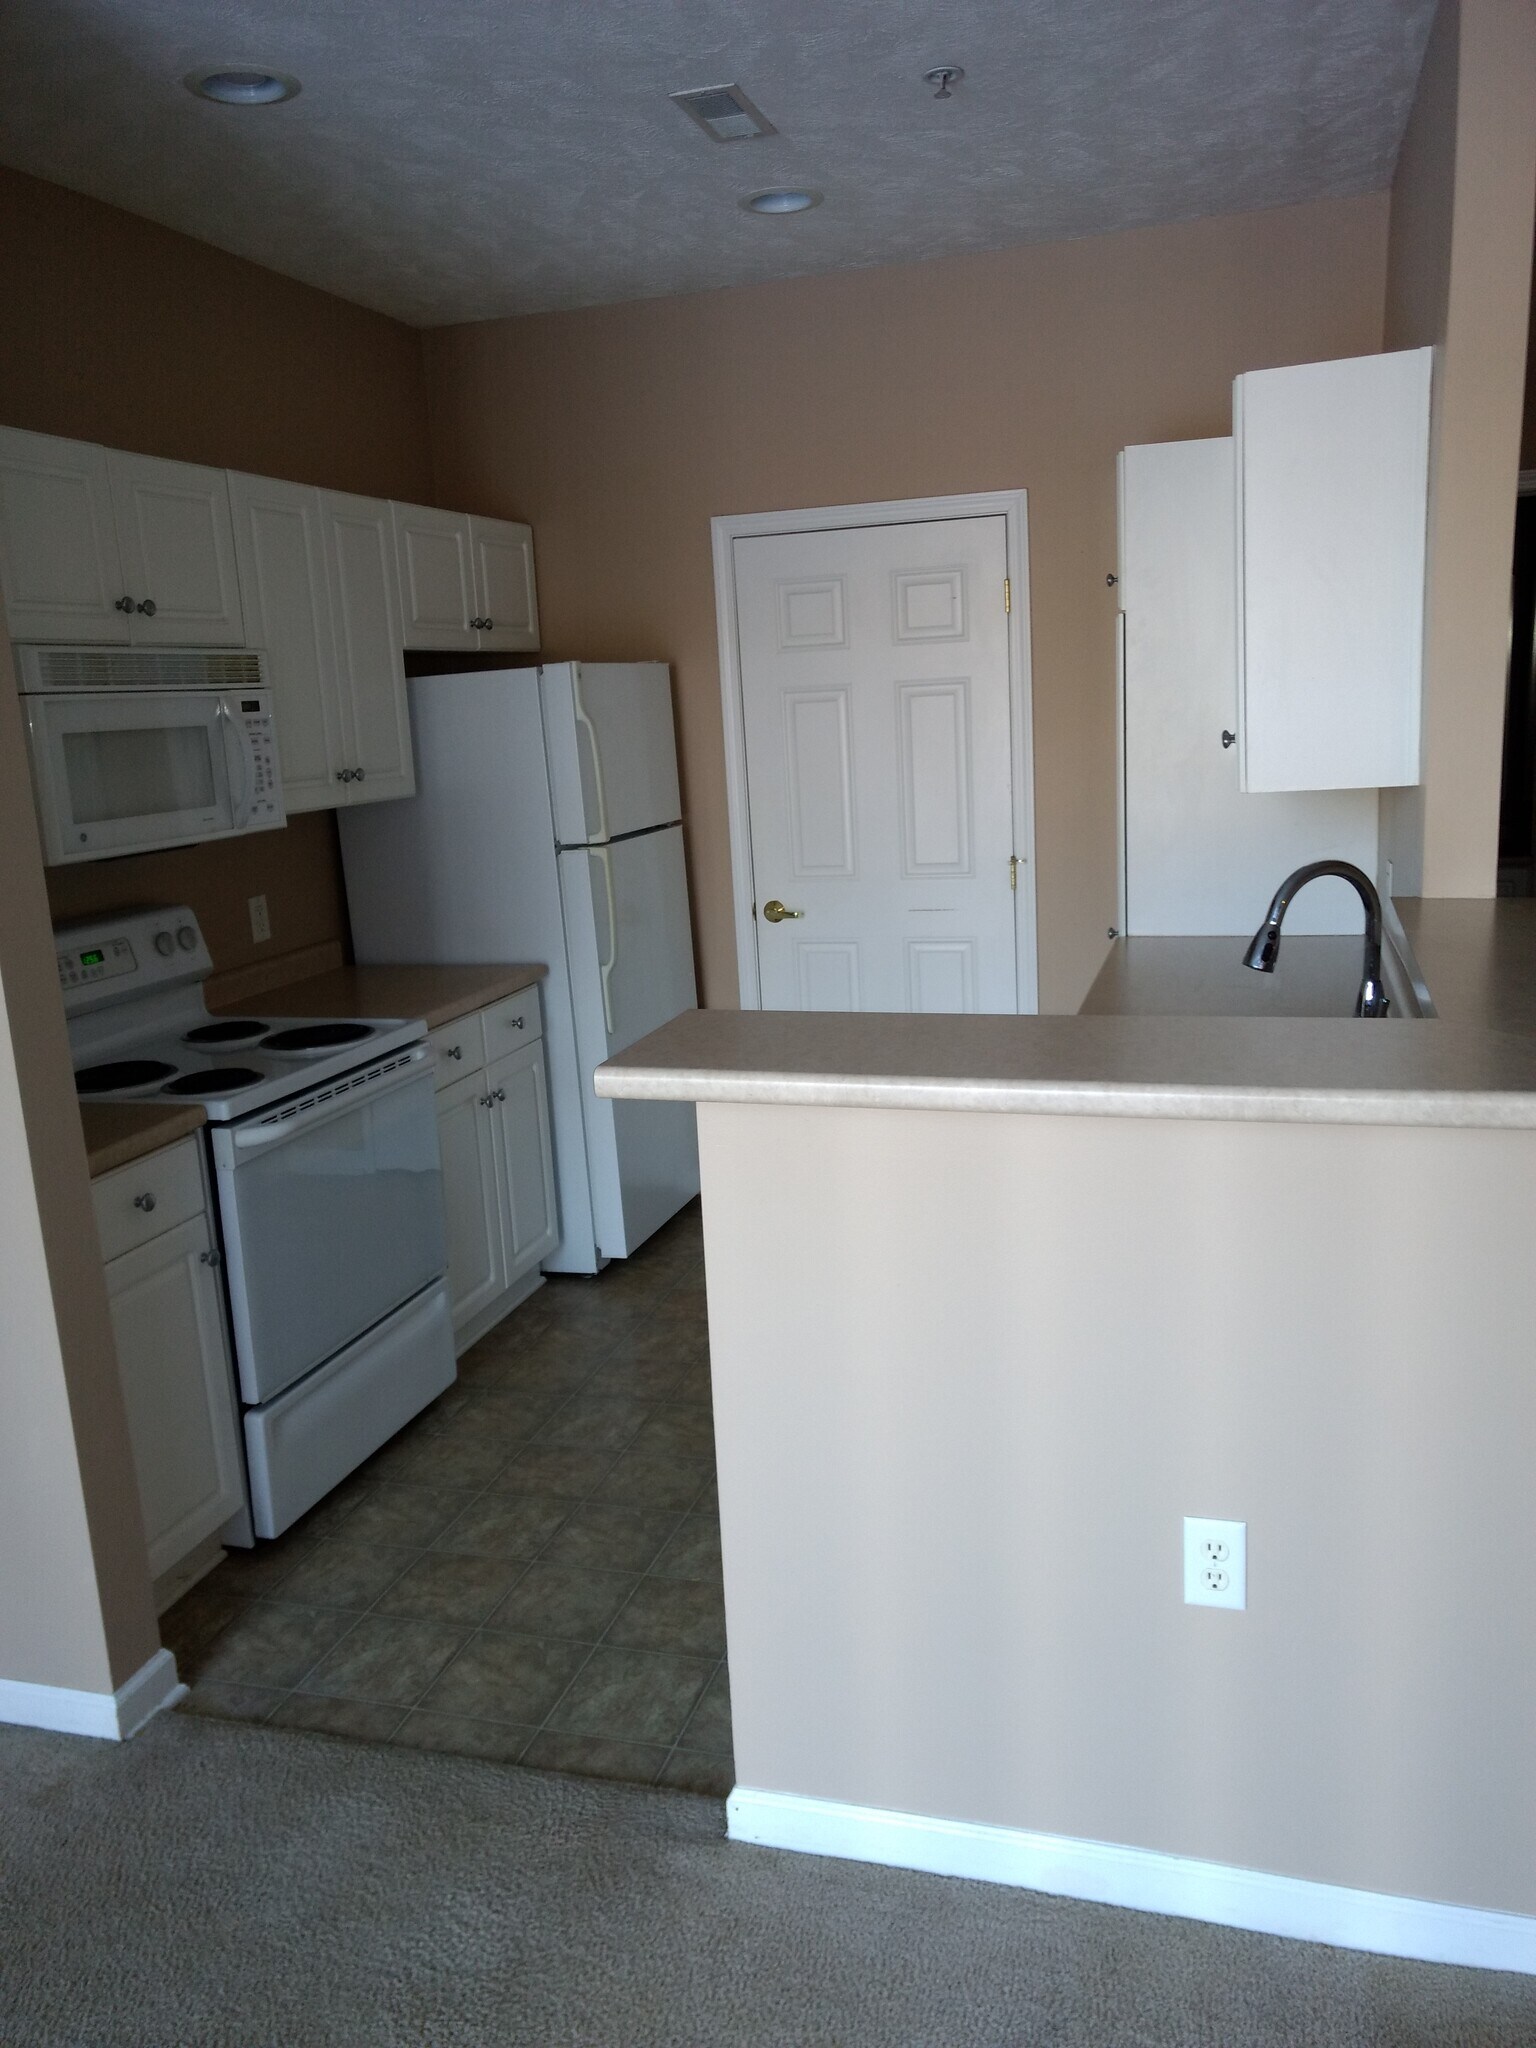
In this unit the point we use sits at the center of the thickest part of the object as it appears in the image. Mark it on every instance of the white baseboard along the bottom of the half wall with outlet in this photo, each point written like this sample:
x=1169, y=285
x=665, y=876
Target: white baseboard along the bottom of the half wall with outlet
x=1142, y=1879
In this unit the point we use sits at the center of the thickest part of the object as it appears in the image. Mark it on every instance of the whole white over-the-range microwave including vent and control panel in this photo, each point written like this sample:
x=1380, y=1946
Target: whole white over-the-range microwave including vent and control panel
x=138, y=749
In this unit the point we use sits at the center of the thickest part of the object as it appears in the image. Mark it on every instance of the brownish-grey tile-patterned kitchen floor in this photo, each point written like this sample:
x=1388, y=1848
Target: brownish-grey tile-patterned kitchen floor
x=529, y=1572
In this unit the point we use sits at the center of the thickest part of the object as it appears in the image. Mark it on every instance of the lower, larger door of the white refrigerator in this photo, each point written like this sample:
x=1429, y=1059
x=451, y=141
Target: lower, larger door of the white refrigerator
x=632, y=972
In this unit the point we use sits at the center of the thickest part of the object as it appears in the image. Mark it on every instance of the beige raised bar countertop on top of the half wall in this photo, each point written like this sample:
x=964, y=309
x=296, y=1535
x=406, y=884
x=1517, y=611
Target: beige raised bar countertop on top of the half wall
x=1474, y=1066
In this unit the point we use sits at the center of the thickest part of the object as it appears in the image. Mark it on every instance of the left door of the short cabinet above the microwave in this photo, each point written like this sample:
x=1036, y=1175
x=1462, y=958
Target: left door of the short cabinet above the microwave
x=58, y=548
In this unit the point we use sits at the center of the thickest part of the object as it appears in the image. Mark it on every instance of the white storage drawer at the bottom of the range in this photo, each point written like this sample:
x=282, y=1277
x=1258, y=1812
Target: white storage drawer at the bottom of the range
x=312, y=1437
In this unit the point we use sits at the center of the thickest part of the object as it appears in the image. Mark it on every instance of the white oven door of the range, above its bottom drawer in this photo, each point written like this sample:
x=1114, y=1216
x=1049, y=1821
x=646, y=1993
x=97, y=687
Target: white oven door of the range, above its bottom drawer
x=333, y=1215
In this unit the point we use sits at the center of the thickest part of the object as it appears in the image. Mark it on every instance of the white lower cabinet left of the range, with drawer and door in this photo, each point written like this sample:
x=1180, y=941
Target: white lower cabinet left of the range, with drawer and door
x=173, y=1353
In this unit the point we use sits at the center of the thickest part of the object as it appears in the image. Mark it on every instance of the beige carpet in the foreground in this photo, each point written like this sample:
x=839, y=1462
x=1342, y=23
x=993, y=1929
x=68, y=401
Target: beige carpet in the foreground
x=228, y=1885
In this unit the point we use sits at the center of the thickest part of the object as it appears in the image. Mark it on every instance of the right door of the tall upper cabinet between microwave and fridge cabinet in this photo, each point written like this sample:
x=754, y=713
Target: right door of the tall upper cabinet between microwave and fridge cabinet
x=366, y=615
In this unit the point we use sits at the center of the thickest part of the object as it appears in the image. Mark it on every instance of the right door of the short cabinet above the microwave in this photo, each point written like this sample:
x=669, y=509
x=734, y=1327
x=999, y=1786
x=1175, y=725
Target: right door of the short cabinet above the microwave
x=179, y=552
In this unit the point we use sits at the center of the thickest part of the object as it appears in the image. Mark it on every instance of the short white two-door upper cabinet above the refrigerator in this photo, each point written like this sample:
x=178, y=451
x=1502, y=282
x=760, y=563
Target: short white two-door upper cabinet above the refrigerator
x=466, y=581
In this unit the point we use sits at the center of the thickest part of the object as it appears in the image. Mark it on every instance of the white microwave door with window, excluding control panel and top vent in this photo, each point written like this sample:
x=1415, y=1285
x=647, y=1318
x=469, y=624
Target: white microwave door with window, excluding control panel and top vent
x=138, y=769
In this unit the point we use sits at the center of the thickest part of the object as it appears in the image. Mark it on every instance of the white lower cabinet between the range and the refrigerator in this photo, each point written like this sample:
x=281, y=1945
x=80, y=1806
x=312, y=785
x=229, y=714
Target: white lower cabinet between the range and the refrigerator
x=499, y=1166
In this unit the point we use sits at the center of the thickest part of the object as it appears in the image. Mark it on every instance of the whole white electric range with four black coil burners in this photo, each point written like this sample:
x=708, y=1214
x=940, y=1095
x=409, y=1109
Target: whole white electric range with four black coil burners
x=325, y=1158
